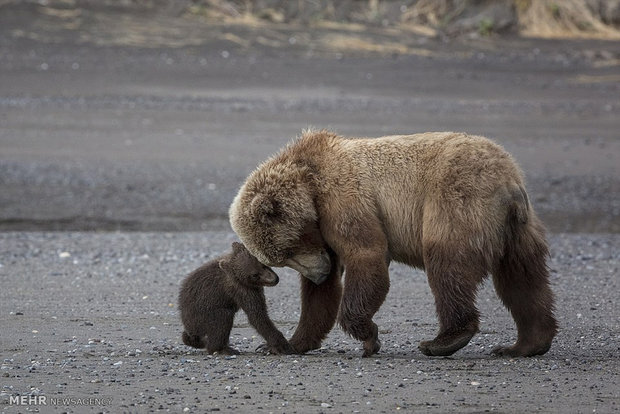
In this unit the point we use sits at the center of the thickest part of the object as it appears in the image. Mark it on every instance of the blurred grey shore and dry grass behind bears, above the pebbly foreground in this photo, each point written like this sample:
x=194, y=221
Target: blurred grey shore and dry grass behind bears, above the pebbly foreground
x=148, y=115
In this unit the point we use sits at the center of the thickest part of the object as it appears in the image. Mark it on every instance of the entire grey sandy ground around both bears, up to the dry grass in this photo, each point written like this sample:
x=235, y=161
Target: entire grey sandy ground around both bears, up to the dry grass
x=146, y=121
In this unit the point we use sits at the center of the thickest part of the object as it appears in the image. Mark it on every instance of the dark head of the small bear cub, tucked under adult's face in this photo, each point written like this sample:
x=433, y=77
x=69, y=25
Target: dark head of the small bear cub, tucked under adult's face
x=244, y=268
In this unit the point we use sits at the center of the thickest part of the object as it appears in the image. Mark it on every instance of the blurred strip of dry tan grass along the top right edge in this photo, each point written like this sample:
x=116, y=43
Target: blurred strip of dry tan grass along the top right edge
x=532, y=18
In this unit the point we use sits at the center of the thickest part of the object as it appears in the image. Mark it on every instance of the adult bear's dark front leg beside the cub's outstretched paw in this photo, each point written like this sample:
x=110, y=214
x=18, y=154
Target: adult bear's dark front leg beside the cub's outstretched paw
x=319, y=309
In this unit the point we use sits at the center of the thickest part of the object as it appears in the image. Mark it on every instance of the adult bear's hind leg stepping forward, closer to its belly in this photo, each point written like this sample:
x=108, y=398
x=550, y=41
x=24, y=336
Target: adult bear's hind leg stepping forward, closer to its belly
x=454, y=278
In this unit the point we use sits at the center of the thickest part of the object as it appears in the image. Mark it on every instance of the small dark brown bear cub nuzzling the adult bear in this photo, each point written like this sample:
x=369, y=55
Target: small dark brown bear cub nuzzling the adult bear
x=212, y=294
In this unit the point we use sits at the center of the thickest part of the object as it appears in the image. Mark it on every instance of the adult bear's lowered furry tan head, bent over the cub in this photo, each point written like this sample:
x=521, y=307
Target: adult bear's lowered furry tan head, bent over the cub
x=275, y=216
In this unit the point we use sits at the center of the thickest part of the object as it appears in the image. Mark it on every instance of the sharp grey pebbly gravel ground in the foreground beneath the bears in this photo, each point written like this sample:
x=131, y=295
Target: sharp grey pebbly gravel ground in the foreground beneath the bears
x=94, y=315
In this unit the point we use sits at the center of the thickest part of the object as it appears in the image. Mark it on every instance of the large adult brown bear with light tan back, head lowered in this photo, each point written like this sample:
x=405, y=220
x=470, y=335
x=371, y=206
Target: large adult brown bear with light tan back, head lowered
x=452, y=204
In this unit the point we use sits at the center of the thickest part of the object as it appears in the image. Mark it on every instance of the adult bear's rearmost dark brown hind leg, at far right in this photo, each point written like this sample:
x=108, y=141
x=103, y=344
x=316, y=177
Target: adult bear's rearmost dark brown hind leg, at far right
x=521, y=279
